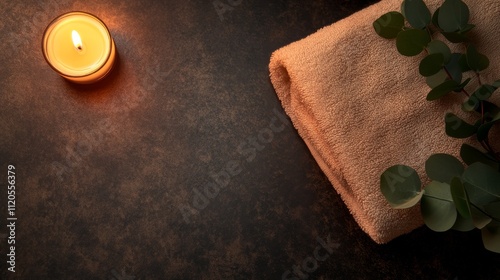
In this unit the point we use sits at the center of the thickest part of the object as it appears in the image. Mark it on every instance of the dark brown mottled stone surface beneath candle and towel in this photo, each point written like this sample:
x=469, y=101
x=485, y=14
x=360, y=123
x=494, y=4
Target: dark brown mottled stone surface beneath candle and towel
x=103, y=171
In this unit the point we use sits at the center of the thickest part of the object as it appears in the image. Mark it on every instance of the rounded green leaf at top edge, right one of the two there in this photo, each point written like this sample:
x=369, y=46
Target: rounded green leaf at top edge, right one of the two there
x=453, y=16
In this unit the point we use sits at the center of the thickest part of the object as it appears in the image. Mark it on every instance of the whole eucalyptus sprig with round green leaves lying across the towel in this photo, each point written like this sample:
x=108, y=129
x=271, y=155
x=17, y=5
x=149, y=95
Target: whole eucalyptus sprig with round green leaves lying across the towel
x=462, y=194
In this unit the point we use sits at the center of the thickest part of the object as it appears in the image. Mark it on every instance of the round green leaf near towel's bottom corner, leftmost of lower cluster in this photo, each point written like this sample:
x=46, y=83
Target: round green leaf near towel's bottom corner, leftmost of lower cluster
x=400, y=185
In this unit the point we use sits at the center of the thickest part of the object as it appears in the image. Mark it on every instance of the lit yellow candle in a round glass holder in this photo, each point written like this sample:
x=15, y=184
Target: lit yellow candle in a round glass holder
x=79, y=47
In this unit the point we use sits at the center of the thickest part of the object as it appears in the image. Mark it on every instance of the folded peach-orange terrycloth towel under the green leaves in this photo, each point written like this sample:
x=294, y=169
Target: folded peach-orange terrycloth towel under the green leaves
x=360, y=107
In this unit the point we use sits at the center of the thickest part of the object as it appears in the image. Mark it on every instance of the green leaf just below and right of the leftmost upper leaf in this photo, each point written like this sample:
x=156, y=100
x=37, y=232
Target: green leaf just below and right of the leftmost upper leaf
x=412, y=42
